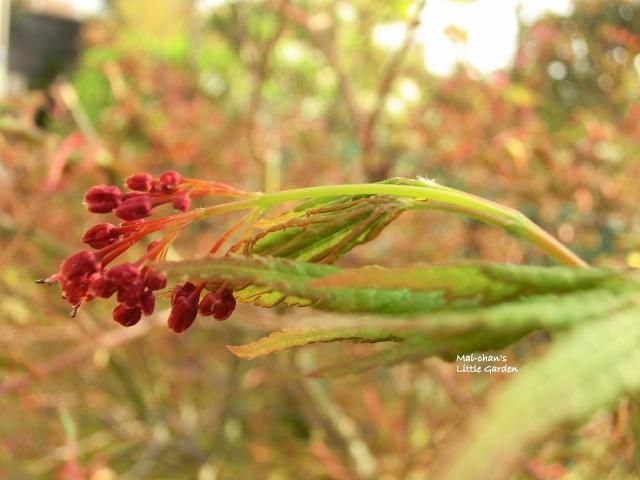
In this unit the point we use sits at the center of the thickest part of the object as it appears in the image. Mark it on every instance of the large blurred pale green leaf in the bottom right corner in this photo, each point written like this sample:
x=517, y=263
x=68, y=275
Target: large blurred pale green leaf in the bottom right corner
x=586, y=370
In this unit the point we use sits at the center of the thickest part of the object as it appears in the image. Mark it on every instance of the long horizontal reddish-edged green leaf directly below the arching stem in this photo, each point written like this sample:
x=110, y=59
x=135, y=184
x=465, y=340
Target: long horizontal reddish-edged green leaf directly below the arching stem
x=267, y=281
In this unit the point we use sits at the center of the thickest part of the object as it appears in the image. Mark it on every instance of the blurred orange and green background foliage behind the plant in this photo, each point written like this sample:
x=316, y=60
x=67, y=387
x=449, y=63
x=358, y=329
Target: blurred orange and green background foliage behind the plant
x=279, y=94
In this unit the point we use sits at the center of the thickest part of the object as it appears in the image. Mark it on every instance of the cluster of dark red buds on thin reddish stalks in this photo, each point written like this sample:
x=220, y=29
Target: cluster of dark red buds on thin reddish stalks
x=85, y=275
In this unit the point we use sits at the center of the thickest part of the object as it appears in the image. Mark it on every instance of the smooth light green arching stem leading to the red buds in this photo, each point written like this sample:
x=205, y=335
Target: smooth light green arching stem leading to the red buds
x=447, y=199
